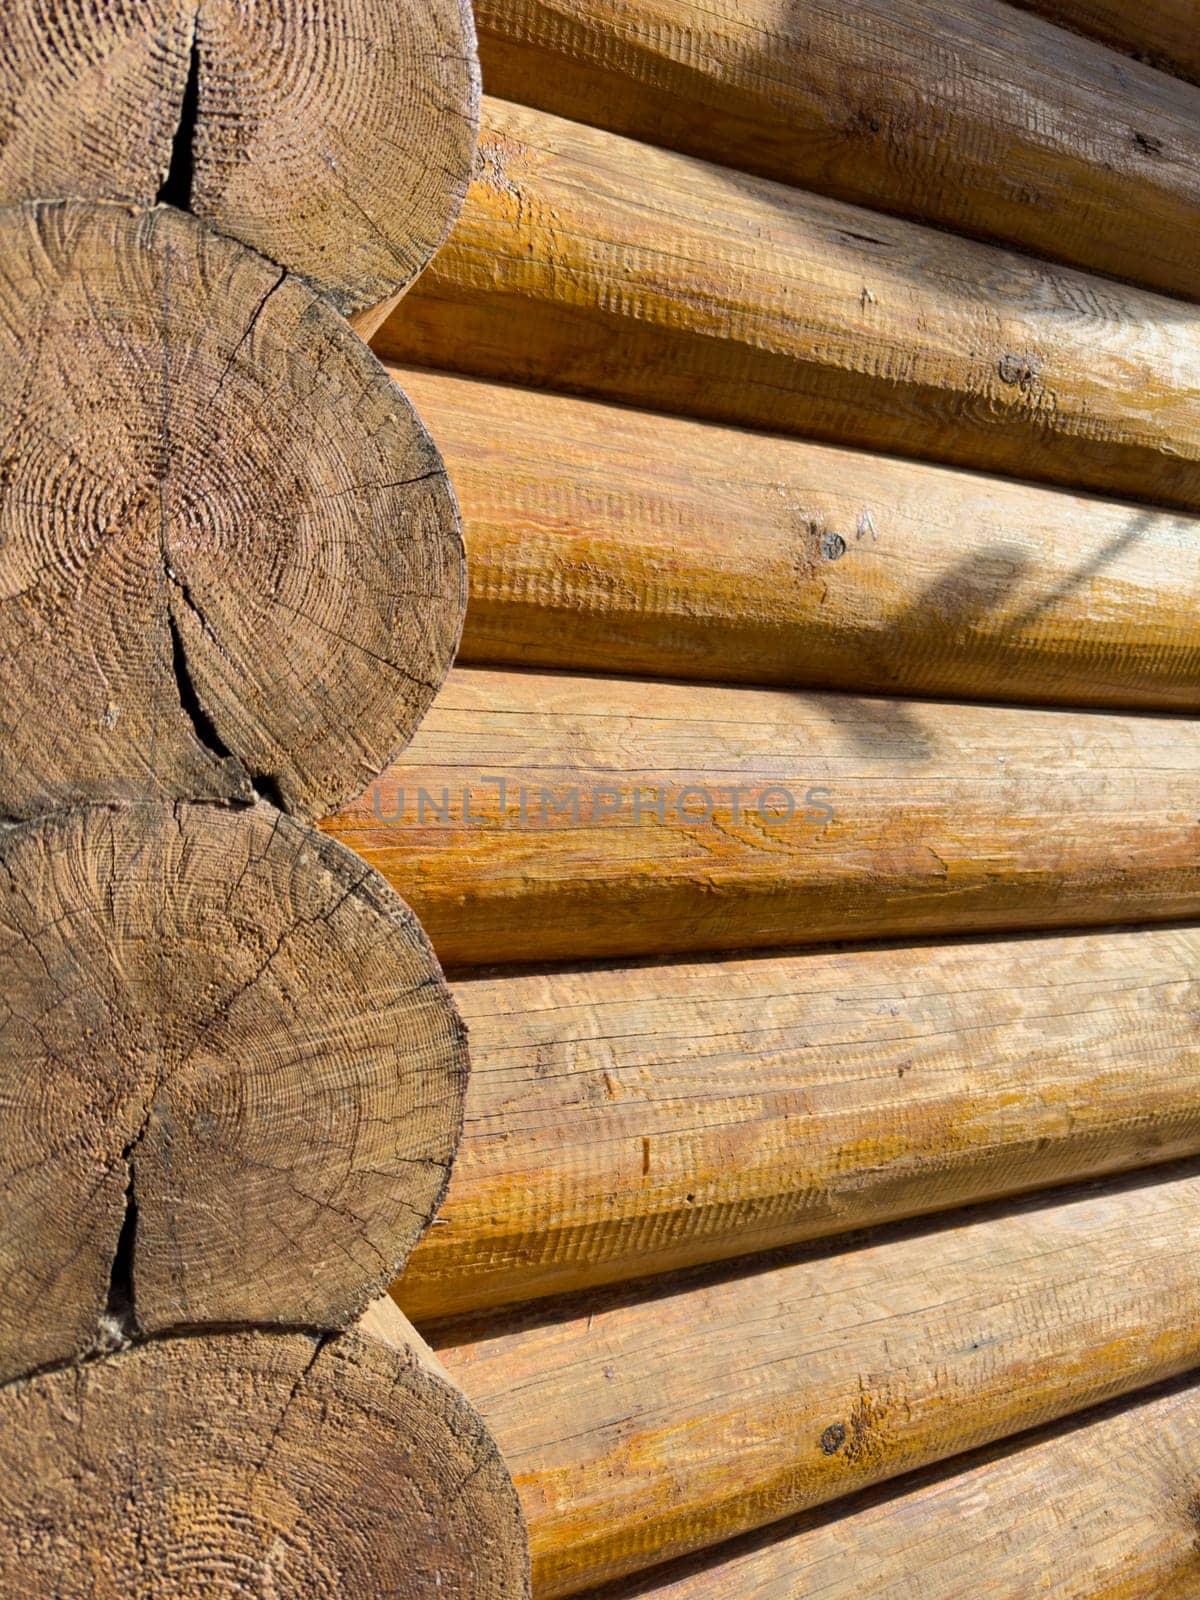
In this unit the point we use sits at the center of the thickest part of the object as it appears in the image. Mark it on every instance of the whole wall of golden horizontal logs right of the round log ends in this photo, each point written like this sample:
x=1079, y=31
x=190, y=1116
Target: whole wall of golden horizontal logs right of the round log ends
x=812, y=823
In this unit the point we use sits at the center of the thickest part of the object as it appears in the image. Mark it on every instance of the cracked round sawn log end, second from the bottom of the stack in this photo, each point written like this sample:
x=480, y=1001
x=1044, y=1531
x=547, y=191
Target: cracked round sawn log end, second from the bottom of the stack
x=231, y=1078
